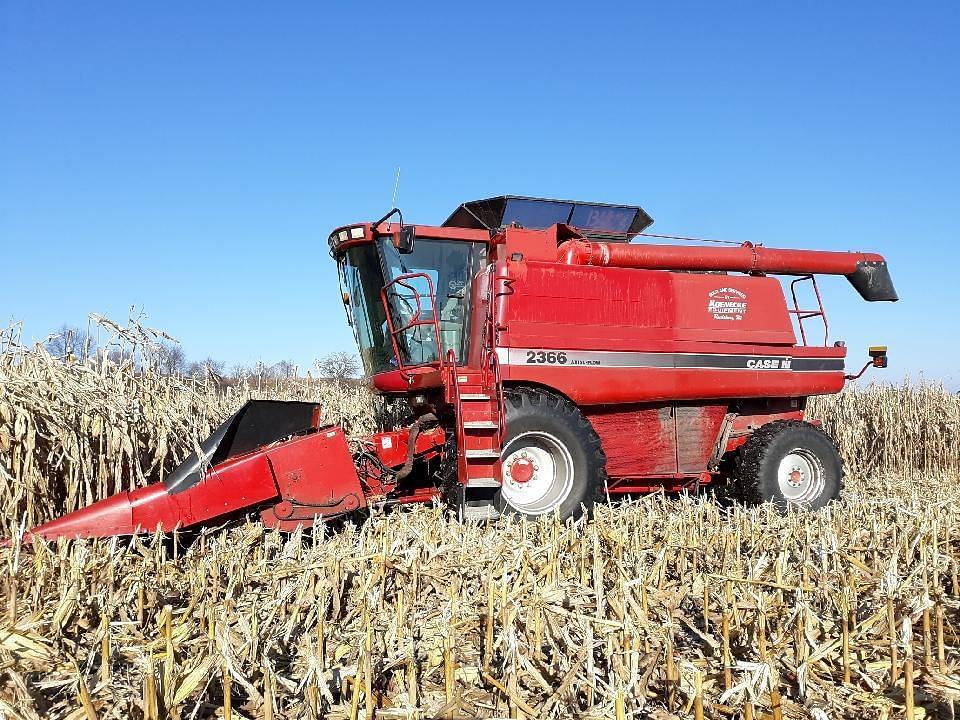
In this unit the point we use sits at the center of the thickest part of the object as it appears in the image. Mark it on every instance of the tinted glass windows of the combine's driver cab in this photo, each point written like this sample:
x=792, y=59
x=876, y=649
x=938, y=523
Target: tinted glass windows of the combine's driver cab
x=443, y=268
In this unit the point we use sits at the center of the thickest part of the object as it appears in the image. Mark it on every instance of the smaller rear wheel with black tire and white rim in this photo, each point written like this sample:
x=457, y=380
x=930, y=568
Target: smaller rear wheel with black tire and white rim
x=790, y=464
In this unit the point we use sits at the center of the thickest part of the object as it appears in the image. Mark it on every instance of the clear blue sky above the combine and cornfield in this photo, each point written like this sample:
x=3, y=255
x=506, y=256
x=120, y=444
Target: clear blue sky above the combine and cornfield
x=190, y=158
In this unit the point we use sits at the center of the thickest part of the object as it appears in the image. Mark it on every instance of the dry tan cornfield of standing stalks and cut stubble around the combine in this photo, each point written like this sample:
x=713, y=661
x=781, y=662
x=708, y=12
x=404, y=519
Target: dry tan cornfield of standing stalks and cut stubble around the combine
x=658, y=607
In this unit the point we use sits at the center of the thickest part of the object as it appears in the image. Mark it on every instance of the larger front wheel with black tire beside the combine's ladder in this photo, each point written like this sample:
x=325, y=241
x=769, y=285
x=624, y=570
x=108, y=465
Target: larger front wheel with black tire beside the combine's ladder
x=548, y=432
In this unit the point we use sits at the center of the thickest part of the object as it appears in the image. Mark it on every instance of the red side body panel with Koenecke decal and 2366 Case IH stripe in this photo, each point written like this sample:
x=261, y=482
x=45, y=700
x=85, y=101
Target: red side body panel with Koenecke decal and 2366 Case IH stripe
x=688, y=329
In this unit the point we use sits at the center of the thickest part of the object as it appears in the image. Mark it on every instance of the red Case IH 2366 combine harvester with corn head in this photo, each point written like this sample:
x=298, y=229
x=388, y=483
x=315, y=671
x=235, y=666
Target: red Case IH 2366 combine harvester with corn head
x=547, y=360
